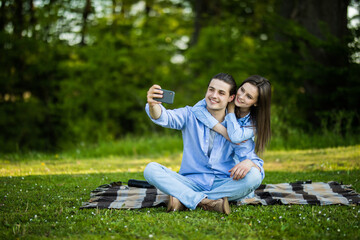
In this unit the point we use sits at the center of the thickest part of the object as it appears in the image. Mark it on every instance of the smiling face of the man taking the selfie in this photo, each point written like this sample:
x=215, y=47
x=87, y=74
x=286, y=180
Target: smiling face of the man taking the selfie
x=218, y=95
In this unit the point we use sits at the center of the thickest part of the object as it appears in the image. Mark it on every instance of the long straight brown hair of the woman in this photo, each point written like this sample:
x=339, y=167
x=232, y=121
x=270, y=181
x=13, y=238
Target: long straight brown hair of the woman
x=260, y=114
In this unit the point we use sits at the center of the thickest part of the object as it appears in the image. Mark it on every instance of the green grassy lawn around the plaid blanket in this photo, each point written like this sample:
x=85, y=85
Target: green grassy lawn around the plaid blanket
x=40, y=196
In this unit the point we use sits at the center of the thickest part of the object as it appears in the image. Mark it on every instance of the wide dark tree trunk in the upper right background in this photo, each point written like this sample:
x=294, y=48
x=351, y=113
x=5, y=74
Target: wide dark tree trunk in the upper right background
x=322, y=18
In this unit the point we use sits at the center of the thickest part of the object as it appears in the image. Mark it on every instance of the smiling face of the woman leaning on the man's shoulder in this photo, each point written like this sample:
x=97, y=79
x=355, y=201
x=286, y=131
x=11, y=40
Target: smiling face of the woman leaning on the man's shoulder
x=246, y=96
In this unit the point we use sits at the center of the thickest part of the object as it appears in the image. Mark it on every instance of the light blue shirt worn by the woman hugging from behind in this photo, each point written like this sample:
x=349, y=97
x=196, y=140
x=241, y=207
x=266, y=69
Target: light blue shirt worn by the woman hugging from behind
x=238, y=129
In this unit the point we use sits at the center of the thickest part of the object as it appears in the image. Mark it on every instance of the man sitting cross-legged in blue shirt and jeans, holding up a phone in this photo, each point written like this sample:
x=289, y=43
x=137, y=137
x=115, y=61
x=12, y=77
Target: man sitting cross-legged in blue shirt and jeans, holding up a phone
x=209, y=175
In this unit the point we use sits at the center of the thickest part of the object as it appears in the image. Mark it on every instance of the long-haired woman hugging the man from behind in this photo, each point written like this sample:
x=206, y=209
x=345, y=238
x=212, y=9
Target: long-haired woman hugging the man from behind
x=248, y=115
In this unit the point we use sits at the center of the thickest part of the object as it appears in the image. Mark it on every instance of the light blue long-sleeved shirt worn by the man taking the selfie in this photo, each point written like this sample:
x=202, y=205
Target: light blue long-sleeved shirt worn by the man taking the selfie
x=196, y=164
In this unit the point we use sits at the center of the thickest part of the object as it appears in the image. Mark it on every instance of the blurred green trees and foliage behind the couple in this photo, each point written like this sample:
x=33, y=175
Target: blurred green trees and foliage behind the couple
x=77, y=71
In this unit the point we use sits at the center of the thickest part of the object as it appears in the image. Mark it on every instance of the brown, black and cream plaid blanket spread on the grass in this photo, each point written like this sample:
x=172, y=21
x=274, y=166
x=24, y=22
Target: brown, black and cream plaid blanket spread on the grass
x=117, y=195
